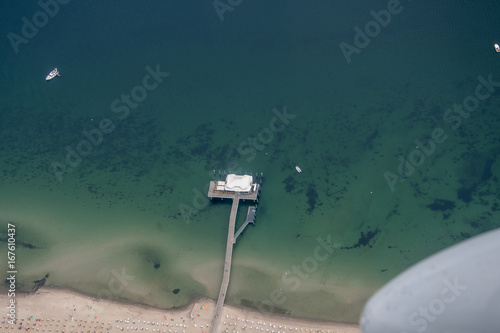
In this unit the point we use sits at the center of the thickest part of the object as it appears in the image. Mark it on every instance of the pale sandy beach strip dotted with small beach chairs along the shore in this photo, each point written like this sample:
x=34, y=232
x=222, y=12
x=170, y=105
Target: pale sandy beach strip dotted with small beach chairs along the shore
x=58, y=310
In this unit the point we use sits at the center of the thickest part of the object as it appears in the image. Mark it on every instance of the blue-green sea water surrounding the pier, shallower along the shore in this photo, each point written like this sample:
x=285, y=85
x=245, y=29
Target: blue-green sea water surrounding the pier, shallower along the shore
x=128, y=218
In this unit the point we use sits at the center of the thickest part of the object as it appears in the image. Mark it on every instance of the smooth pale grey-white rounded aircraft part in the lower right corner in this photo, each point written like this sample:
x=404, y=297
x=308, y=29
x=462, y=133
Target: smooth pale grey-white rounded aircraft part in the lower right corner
x=456, y=290
